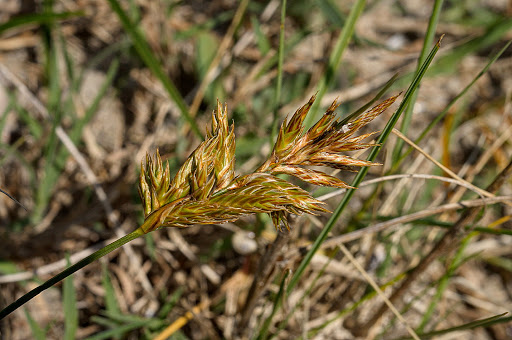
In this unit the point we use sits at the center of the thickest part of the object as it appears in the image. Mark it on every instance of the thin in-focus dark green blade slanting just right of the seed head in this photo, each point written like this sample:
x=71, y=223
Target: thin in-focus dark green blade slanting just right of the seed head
x=362, y=173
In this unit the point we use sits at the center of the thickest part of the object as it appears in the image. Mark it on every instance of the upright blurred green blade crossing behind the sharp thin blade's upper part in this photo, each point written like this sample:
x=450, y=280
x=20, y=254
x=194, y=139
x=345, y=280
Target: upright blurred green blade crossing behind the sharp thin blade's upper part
x=427, y=42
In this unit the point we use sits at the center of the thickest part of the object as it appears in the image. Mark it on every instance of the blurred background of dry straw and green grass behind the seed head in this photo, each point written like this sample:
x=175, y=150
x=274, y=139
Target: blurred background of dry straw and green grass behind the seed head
x=88, y=87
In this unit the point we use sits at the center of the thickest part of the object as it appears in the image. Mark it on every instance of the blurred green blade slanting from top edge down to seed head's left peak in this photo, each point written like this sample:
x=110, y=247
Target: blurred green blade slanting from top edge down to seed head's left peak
x=152, y=63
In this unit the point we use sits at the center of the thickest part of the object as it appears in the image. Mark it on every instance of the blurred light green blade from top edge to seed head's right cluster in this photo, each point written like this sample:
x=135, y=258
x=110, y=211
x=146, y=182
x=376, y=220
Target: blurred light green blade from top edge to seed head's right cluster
x=335, y=59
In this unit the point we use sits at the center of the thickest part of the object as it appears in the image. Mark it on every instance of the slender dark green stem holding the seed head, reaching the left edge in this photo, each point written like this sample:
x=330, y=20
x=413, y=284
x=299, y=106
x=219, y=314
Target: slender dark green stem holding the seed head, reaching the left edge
x=68, y=271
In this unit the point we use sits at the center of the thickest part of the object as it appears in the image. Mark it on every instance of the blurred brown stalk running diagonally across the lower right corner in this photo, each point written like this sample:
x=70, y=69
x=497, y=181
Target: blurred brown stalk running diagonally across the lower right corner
x=445, y=245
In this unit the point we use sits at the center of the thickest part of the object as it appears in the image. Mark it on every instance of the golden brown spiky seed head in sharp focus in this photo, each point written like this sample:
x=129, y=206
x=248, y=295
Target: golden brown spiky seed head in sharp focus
x=206, y=190
